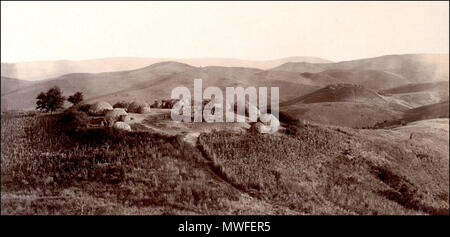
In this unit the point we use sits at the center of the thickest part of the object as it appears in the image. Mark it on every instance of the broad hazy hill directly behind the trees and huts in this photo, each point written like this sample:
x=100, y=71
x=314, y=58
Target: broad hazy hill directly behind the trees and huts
x=155, y=82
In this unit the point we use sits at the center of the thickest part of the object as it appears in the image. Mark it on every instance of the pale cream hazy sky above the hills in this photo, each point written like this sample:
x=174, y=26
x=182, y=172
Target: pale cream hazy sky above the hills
x=248, y=30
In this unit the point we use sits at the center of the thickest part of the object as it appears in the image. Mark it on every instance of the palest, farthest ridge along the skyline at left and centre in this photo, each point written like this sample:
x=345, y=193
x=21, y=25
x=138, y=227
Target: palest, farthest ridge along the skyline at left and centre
x=40, y=70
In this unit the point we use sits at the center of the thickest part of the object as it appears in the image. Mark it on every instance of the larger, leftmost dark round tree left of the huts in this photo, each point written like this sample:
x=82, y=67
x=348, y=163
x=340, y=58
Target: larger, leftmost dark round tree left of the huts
x=50, y=101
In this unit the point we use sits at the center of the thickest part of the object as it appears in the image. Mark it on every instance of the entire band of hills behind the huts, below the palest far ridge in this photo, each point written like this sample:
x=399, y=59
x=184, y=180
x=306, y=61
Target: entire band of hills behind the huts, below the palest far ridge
x=307, y=94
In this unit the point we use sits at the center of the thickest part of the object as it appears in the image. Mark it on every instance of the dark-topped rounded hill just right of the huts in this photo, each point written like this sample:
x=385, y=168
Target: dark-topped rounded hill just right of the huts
x=344, y=105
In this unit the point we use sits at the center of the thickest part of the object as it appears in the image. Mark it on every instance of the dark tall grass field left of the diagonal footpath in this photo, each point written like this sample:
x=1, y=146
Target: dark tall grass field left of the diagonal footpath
x=125, y=171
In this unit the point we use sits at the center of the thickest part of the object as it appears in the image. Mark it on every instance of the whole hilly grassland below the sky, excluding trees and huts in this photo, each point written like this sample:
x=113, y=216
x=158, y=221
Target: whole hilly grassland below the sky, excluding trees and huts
x=361, y=137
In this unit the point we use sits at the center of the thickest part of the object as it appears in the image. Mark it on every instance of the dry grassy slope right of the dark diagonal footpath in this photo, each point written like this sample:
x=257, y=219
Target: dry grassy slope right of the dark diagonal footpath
x=332, y=171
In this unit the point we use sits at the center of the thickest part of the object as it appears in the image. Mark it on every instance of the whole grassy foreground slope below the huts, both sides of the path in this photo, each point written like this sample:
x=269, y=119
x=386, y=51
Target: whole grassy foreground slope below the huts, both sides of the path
x=47, y=169
